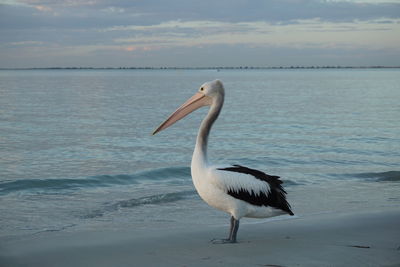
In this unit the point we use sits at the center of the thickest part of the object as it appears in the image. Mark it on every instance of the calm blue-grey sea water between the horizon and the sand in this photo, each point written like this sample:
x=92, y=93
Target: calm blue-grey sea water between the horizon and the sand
x=76, y=150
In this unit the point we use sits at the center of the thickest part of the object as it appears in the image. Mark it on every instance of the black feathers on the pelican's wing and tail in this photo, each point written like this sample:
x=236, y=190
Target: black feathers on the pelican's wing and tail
x=275, y=198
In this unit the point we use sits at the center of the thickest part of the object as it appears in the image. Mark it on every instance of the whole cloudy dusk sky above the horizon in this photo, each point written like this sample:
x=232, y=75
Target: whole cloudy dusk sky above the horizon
x=205, y=33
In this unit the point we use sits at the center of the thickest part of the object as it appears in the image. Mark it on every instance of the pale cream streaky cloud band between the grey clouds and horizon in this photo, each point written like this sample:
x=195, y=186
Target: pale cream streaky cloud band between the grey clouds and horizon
x=303, y=33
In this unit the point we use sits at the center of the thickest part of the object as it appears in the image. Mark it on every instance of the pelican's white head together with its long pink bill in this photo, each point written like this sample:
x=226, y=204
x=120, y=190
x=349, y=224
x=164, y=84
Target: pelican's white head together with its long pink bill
x=208, y=93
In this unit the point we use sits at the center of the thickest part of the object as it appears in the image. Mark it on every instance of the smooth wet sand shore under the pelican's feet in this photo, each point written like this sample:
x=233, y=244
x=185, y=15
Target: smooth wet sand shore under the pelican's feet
x=362, y=239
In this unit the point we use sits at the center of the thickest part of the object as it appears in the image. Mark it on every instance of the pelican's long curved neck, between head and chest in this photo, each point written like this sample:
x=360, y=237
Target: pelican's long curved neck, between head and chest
x=200, y=150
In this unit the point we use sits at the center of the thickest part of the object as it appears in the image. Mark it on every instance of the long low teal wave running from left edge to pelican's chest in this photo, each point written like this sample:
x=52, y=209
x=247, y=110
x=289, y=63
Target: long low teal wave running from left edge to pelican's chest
x=42, y=185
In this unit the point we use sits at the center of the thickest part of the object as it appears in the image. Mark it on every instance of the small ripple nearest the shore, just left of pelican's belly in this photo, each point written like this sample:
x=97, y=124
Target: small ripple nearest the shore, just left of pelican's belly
x=147, y=200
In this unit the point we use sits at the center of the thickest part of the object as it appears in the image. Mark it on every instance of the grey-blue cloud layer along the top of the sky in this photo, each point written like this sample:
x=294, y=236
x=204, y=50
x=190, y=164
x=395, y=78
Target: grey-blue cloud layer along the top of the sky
x=102, y=14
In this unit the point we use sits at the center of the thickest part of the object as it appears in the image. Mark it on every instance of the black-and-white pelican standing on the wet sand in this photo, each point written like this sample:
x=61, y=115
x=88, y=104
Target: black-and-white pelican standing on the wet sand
x=236, y=190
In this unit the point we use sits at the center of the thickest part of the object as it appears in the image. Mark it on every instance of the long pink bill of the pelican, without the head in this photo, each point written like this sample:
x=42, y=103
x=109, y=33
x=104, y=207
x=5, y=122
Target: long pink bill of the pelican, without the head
x=198, y=100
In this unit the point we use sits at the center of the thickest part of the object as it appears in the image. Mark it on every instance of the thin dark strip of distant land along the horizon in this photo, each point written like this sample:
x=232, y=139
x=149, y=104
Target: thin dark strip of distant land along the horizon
x=205, y=68
